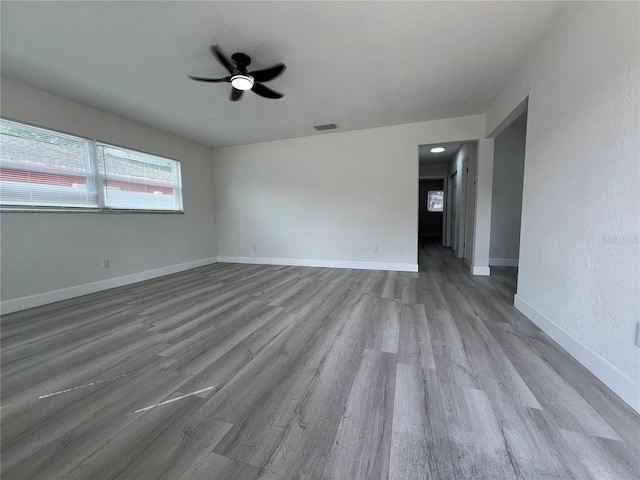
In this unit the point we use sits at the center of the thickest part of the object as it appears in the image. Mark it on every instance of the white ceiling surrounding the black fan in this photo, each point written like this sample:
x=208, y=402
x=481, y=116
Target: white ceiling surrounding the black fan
x=358, y=64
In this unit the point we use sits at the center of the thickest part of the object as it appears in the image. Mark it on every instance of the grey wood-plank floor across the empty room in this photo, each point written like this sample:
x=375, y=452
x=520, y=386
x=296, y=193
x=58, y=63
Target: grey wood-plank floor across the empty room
x=250, y=372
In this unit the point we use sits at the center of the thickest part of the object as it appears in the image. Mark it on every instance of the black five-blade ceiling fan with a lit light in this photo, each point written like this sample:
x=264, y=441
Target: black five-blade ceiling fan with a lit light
x=241, y=79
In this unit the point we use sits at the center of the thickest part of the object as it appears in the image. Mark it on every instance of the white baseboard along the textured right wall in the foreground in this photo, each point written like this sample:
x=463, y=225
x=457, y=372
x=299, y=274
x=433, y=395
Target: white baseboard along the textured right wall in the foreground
x=618, y=381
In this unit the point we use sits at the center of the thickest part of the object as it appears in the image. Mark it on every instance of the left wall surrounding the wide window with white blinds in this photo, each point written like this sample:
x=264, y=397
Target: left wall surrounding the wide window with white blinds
x=46, y=252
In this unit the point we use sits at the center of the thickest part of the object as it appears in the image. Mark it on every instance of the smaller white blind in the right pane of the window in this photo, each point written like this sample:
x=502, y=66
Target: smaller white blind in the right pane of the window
x=138, y=181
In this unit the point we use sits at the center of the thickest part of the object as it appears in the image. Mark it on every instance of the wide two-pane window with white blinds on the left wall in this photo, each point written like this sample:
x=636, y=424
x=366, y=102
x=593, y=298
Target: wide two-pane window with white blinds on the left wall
x=41, y=169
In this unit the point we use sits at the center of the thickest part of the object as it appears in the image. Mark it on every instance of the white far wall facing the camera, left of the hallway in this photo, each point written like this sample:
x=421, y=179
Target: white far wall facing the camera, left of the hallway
x=329, y=199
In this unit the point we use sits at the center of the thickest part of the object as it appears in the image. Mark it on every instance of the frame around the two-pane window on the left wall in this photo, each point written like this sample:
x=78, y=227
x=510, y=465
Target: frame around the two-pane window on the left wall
x=96, y=178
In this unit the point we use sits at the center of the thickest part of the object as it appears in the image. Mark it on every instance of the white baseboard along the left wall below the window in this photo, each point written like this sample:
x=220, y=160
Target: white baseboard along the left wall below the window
x=31, y=301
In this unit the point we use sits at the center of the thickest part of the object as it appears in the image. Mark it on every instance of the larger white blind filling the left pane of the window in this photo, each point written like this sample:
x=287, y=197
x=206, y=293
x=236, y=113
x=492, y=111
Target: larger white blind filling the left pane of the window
x=40, y=168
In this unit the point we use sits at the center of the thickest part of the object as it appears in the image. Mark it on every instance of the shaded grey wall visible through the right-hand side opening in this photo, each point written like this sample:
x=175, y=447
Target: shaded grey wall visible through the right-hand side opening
x=506, y=203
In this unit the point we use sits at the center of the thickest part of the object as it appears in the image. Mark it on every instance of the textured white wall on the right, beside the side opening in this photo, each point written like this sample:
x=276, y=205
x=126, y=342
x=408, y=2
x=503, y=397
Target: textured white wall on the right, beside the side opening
x=579, y=254
